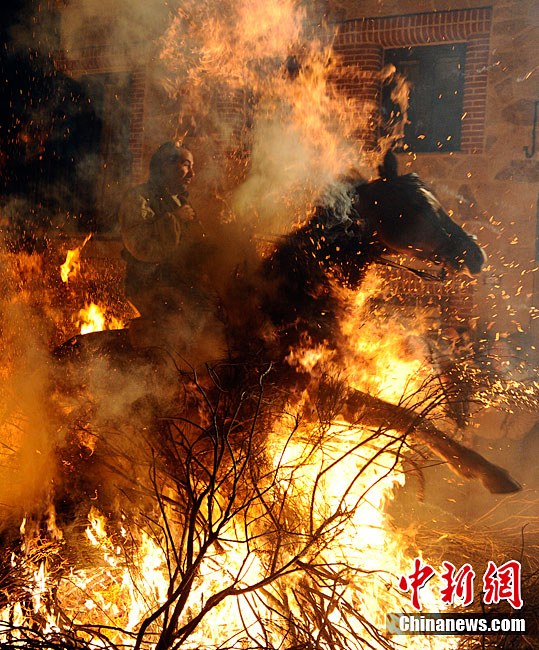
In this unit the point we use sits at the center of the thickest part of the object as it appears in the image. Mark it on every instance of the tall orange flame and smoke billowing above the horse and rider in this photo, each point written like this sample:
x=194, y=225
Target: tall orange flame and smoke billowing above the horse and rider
x=306, y=132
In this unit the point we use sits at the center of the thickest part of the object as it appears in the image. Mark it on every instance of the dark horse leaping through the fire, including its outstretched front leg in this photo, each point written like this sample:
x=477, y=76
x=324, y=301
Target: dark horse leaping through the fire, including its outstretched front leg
x=292, y=297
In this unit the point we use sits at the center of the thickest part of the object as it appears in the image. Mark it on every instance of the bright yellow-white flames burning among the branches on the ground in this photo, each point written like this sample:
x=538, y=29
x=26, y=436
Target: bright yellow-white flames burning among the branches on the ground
x=338, y=489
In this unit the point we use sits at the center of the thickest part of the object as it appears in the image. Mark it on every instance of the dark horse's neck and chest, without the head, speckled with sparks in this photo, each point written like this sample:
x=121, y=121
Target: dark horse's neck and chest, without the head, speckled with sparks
x=294, y=289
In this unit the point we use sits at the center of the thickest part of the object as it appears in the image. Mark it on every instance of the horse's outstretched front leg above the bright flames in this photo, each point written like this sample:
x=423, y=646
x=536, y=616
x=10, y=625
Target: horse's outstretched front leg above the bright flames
x=359, y=407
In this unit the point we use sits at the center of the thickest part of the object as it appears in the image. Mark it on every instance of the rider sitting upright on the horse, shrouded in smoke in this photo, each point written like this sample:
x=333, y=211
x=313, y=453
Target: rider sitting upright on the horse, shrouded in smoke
x=163, y=242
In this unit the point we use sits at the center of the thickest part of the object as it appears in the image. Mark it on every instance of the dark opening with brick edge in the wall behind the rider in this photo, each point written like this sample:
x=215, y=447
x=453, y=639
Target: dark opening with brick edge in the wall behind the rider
x=64, y=147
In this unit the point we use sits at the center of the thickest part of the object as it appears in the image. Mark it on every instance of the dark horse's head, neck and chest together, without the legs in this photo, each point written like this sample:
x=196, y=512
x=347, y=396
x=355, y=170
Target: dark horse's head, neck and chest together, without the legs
x=394, y=214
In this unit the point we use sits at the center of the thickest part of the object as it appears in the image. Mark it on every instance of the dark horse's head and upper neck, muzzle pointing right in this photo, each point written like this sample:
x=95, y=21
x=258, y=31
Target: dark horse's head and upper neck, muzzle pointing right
x=360, y=221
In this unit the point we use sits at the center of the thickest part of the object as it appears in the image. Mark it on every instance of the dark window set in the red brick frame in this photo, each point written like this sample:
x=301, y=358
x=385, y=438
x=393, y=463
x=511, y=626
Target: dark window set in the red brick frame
x=436, y=73
